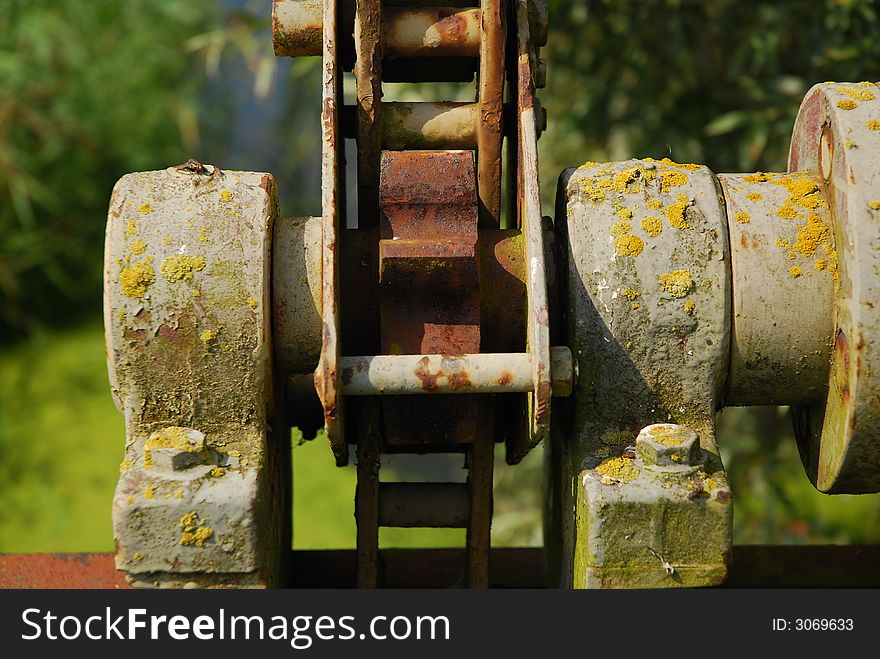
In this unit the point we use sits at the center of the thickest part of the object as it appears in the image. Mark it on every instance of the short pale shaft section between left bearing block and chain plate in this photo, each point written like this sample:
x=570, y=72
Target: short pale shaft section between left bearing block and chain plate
x=296, y=293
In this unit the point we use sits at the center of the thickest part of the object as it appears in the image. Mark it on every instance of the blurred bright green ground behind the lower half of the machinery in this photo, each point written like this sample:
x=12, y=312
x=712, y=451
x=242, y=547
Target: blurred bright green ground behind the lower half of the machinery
x=61, y=441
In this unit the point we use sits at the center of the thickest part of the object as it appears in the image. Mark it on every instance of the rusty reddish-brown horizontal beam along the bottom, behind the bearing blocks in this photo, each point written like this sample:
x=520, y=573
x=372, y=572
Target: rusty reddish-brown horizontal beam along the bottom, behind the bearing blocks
x=751, y=566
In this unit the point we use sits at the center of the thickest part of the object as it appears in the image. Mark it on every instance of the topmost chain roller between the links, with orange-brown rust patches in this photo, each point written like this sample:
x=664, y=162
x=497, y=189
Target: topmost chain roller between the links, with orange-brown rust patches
x=431, y=32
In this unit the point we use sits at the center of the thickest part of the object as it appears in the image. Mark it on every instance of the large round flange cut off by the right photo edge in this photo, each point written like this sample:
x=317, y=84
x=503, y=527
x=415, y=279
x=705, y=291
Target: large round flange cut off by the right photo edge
x=837, y=135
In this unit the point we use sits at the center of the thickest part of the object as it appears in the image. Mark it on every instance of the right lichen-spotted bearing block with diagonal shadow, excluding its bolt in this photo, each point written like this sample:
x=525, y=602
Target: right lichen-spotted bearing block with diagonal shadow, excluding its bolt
x=648, y=312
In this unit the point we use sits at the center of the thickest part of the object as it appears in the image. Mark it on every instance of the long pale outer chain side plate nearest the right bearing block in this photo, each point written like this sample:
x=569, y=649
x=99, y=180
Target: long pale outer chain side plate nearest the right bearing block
x=529, y=219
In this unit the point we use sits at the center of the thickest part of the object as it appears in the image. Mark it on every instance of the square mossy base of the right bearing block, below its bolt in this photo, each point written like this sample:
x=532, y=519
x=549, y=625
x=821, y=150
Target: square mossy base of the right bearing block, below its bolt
x=644, y=525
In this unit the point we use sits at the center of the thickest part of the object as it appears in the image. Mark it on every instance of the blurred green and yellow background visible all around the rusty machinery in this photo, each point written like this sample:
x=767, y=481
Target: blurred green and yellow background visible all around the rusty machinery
x=92, y=90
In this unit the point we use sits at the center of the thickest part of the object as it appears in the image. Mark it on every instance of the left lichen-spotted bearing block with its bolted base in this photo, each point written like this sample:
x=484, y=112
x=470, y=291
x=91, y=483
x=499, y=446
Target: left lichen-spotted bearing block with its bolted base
x=205, y=481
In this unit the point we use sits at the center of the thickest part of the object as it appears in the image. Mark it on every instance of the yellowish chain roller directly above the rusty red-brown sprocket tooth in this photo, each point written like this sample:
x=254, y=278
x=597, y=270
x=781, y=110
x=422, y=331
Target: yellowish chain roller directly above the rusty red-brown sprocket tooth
x=443, y=125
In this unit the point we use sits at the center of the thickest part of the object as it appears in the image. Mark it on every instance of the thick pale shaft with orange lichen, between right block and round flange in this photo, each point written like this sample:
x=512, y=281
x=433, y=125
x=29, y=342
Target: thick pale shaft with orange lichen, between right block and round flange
x=784, y=267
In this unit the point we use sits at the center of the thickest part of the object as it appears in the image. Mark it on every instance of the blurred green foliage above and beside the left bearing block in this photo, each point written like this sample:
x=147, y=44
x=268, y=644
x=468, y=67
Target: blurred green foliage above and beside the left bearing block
x=88, y=90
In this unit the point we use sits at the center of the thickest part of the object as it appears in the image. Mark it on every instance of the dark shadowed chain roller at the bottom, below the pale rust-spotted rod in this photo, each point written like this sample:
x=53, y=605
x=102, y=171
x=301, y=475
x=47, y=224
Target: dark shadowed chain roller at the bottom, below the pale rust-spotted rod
x=424, y=505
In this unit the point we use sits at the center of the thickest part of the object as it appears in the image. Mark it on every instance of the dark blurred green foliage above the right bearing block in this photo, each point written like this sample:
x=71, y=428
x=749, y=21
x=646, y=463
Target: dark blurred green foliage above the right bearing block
x=715, y=82
